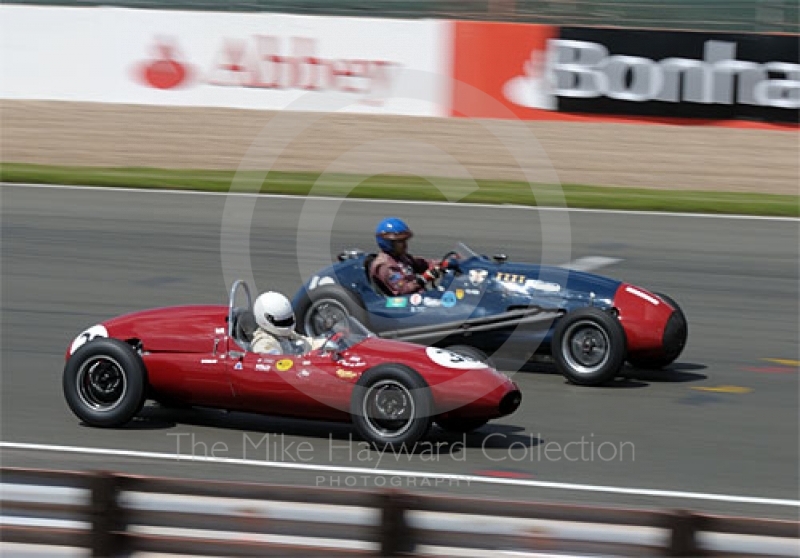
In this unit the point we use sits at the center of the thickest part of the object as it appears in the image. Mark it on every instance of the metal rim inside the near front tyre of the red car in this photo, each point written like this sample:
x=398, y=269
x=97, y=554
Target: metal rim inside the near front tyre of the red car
x=388, y=408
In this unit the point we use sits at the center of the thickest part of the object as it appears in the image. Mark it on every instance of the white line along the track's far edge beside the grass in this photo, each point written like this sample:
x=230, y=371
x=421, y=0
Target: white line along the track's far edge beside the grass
x=407, y=202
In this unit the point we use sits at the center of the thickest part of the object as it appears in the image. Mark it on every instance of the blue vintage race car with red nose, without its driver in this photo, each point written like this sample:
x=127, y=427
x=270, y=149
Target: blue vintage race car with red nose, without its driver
x=491, y=309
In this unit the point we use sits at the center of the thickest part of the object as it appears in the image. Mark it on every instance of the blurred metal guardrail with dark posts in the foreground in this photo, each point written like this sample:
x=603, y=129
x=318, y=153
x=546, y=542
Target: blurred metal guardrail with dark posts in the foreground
x=117, y=514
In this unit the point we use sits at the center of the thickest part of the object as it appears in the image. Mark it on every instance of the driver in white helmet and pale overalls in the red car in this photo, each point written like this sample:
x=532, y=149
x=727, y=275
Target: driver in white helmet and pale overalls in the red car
x=275, y=334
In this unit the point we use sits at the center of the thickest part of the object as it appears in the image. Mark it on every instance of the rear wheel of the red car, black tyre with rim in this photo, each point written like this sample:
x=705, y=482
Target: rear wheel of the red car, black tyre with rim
x=104, y=382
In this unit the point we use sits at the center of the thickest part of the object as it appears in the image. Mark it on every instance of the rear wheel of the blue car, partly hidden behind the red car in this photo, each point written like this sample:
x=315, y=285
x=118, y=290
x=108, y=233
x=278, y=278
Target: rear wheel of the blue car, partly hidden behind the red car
x=325, y=306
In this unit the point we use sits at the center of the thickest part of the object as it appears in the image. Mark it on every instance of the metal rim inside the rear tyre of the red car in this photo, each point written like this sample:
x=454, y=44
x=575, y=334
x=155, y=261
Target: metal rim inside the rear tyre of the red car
x=101, y=383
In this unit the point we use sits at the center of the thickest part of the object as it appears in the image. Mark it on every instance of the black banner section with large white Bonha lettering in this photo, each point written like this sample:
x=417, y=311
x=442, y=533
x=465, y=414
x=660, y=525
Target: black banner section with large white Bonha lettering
x=665, y=74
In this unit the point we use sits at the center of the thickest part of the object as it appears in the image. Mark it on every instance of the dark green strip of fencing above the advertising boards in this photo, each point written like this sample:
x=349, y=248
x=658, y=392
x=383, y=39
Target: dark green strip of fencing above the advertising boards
x=703, y=15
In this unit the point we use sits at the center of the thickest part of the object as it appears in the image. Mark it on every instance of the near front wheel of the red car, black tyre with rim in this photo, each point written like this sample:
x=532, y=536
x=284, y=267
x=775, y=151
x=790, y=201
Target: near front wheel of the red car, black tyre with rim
x=391, y=406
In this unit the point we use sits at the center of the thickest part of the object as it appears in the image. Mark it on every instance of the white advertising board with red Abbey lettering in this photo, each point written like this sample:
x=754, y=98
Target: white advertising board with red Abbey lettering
x=251, y=61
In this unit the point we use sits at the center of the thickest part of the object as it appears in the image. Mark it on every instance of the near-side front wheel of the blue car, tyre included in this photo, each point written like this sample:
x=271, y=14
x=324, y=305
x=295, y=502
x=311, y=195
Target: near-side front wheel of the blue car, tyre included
x=589, y=346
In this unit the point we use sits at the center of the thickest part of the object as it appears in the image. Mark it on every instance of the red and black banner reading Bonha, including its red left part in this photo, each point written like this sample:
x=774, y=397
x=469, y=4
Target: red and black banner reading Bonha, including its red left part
x=542, y=72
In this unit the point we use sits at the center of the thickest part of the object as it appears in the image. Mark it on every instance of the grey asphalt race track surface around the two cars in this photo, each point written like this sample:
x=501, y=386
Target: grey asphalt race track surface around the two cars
x=73, y=257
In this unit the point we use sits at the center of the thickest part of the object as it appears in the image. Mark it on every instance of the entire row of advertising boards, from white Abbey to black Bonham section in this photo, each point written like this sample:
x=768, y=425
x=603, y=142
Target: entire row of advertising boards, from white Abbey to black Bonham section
x=404, y=67
